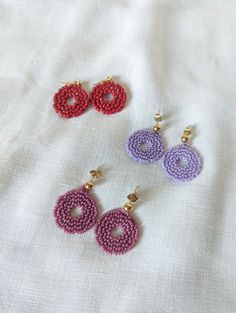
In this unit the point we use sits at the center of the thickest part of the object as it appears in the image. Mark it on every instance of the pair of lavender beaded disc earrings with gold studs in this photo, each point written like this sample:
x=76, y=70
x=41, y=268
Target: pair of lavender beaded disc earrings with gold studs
x=180, y=163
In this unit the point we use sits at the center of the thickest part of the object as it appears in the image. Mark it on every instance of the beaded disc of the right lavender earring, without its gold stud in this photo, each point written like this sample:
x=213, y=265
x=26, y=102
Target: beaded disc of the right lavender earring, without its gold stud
x=181, y=163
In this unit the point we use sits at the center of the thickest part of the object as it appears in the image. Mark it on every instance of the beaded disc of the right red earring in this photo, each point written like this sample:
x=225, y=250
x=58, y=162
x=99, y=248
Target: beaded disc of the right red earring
x=106, y=106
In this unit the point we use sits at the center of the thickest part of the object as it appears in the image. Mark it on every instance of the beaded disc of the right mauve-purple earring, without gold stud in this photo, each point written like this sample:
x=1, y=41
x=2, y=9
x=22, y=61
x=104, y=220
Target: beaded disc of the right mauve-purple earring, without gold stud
x=105, y=227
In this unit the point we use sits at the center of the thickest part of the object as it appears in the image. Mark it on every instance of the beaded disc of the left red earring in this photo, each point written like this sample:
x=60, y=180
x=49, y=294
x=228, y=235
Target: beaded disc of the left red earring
x=74, y=91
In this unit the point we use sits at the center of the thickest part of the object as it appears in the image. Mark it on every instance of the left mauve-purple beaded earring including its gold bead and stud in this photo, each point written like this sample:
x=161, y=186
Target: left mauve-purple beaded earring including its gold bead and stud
x=64, y=209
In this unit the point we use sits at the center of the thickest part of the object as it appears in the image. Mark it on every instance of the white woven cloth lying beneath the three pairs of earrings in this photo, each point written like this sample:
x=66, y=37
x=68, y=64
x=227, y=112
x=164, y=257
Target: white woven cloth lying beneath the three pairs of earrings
x=176, y=56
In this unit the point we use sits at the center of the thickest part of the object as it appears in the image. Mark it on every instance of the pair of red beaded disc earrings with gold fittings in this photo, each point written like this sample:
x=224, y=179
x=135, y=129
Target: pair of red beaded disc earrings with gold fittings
x=106, y=97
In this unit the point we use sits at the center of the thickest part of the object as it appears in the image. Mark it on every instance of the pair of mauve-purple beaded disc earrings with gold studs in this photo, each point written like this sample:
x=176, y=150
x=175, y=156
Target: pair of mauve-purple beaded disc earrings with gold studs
x=105, y=226
